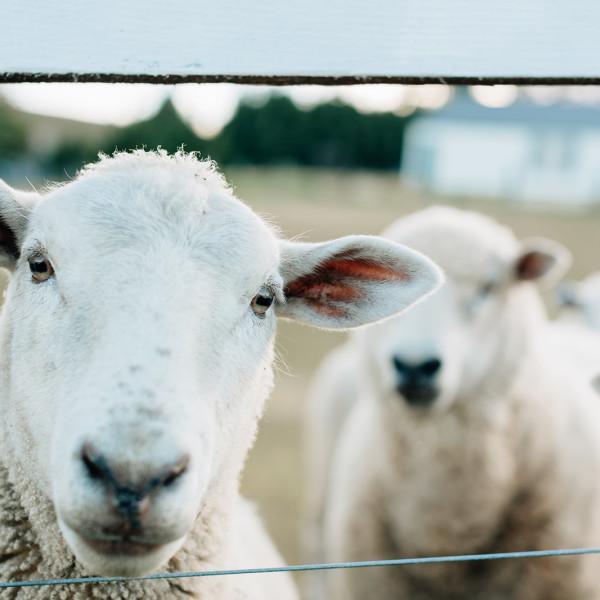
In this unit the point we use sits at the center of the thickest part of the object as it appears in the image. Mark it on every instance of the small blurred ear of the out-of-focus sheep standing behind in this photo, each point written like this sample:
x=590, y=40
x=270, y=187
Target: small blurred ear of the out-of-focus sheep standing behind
x=543, y=261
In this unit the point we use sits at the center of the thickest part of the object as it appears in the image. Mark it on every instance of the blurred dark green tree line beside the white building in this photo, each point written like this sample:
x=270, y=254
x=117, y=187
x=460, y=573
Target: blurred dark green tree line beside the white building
x=271, y=133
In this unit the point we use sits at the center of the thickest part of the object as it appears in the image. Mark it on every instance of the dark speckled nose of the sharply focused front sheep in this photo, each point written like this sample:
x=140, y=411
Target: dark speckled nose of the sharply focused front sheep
x=130, y=495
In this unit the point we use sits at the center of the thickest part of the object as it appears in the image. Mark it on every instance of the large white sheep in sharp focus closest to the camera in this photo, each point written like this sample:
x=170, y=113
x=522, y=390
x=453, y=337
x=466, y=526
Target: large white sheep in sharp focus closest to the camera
x=136, y=344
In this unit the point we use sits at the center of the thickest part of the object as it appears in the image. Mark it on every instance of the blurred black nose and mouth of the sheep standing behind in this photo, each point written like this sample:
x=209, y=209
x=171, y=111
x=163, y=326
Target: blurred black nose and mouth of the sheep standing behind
x=416, y=382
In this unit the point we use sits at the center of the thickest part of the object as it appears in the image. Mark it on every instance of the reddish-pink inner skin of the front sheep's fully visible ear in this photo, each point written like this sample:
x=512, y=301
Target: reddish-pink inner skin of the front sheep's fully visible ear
x=334, y=282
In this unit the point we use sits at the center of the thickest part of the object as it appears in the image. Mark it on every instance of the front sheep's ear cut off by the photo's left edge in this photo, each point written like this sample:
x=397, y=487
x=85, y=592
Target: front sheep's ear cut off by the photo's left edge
x=15, y=208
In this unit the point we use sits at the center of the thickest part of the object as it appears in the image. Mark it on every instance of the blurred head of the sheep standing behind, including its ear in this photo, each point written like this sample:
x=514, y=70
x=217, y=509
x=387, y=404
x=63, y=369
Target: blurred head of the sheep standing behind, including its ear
x=452, y=343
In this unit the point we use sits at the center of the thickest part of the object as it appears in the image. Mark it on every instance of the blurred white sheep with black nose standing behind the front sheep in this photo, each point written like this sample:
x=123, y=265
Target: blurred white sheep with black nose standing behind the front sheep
x=464, y=432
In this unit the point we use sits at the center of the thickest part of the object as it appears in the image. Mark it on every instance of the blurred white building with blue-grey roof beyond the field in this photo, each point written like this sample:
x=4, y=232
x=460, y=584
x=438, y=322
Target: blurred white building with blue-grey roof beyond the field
x=523, y=151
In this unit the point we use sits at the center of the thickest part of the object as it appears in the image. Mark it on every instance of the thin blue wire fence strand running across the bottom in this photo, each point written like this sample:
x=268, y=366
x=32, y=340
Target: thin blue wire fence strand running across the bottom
x=315, y=567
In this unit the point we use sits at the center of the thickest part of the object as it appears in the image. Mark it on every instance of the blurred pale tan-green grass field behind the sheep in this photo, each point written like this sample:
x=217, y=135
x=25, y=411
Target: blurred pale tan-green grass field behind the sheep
x=320, y=205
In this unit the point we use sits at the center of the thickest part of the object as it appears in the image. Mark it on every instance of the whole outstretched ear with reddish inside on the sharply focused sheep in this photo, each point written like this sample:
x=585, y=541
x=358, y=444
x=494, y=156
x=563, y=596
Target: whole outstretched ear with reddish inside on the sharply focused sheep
x=352, y=281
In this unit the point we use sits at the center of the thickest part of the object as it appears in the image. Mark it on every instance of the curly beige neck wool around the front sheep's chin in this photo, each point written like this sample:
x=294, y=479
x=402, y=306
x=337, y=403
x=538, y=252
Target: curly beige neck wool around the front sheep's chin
x=25, y=554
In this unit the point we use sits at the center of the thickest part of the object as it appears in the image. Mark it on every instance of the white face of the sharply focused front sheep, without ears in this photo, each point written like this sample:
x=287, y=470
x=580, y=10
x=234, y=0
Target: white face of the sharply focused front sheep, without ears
x=149, y=351
